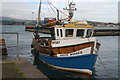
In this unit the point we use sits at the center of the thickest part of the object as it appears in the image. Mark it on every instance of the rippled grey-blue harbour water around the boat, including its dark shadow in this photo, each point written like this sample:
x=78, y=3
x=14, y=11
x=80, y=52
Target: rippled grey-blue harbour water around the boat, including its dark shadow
x=108, y=53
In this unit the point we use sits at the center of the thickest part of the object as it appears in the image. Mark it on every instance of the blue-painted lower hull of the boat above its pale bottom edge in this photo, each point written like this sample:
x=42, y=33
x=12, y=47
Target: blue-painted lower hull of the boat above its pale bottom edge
x=75, y=62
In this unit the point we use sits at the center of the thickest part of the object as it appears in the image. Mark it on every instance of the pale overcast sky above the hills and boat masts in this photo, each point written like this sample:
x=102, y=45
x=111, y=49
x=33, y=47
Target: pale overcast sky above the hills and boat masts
x=94, y=10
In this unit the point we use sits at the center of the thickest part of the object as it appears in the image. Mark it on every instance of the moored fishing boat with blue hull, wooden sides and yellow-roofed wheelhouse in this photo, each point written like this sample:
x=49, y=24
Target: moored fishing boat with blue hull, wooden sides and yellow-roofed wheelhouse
x=71, y=45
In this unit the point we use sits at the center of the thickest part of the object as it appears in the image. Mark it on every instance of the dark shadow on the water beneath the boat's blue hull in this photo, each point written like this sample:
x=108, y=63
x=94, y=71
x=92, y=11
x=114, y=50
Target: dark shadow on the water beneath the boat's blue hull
x=51, y=72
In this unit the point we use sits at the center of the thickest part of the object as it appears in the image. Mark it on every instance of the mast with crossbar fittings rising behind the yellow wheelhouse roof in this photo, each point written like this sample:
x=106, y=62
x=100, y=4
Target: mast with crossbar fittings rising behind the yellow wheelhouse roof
x=70, y=10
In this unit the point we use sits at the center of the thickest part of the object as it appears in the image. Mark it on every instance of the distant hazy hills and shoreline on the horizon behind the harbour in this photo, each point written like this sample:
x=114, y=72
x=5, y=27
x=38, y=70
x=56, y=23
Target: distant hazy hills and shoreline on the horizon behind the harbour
x=13, y=21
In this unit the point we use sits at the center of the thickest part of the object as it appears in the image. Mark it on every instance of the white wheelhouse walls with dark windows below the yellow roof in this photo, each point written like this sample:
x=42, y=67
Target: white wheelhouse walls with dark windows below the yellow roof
x=66, y=33
